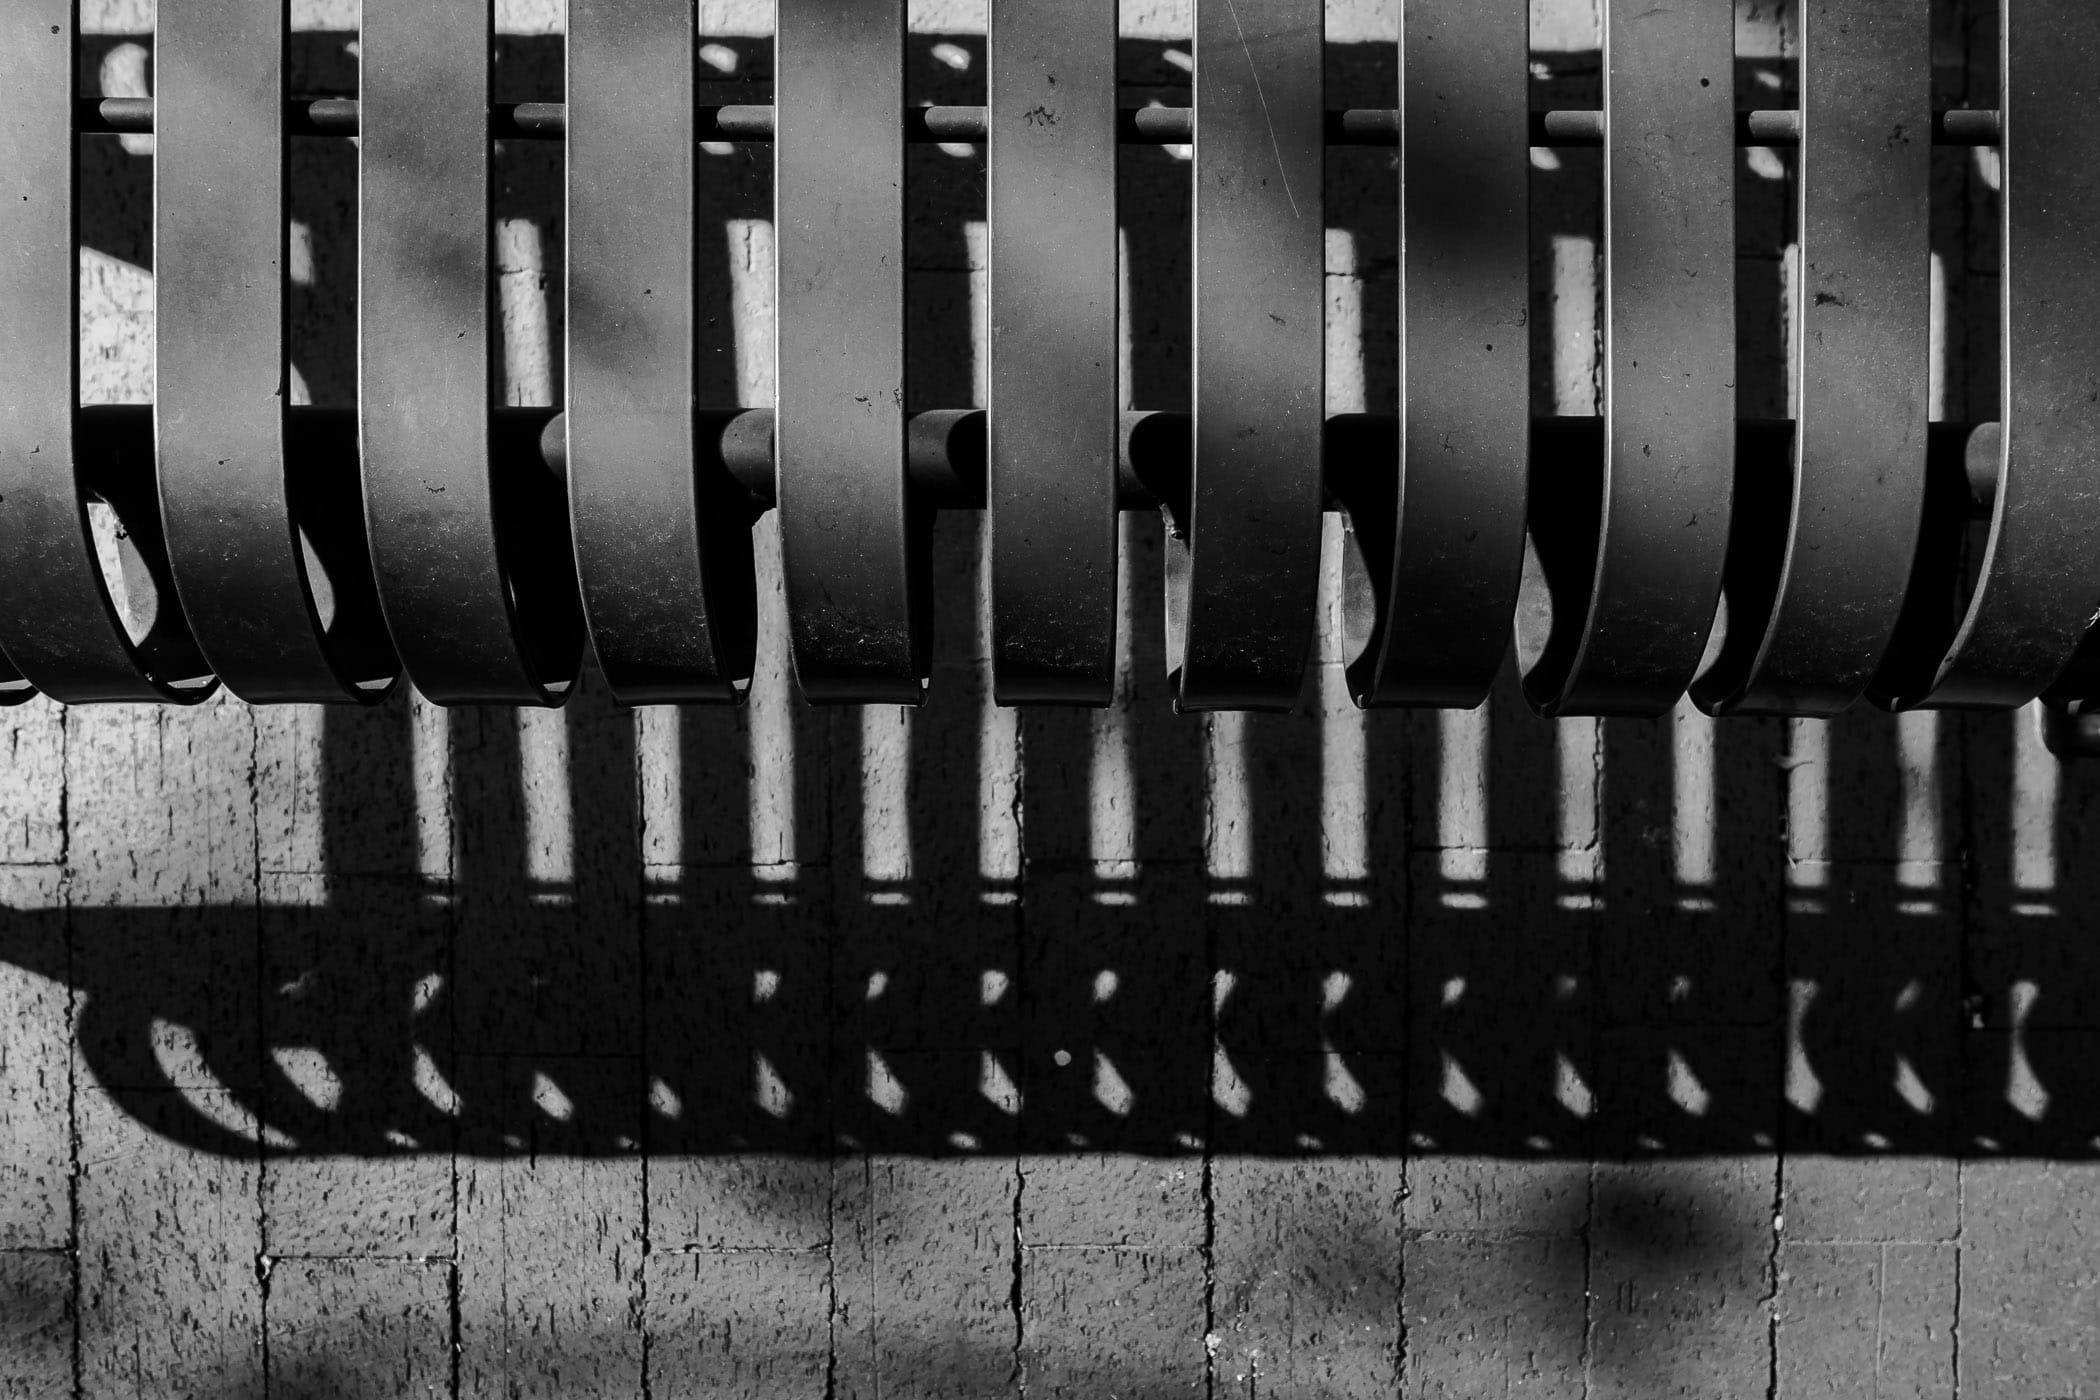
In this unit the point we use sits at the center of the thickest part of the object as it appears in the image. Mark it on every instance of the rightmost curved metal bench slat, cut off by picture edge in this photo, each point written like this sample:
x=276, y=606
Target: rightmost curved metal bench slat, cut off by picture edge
x=2038, y=585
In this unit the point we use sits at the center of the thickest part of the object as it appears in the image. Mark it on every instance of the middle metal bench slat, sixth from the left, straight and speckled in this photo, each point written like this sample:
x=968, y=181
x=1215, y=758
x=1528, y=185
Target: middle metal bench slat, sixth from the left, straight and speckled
x=1053, y=394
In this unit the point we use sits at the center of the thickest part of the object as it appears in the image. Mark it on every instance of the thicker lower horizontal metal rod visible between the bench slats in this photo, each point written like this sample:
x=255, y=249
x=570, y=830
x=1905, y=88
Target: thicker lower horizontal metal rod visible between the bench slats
x=946, y=448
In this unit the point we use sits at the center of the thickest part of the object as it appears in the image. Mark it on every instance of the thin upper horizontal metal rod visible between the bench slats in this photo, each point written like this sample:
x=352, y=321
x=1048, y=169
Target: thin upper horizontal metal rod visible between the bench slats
x=1377, y=127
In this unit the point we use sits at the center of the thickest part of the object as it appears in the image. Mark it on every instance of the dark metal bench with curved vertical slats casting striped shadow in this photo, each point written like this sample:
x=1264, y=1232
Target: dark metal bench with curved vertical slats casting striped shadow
x=318, y=557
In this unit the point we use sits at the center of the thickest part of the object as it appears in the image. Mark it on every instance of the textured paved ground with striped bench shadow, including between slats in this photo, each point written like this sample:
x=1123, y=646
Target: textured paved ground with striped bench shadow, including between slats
x=961, y=1053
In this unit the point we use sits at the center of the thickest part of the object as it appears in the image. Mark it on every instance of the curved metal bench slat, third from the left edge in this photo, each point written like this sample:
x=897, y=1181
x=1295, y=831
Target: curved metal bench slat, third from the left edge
x=463, y=620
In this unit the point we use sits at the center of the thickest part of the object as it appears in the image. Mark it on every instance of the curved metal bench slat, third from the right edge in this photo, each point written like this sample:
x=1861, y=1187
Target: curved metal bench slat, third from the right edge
x=1635, y=641
